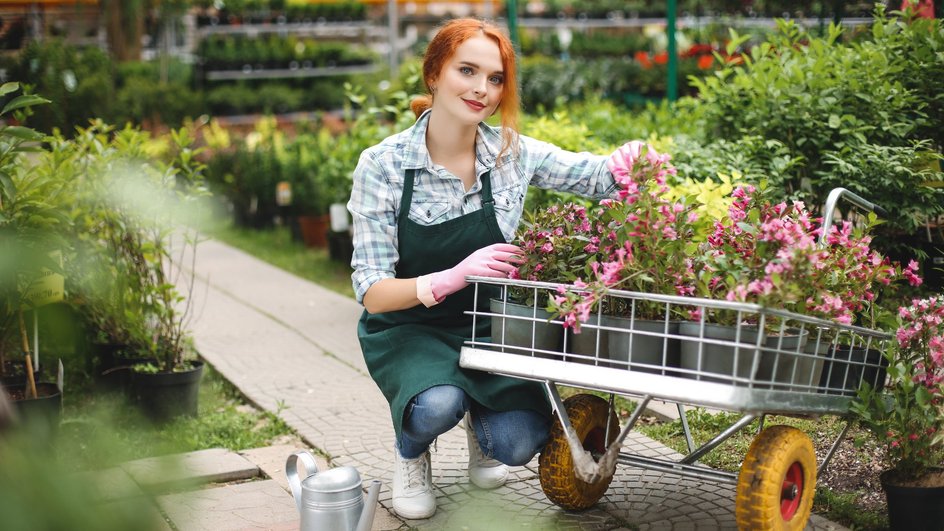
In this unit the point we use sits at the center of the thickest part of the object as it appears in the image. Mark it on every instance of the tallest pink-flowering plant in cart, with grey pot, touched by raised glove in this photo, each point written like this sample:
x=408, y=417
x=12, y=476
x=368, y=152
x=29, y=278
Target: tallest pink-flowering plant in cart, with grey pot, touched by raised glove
x=644, y=241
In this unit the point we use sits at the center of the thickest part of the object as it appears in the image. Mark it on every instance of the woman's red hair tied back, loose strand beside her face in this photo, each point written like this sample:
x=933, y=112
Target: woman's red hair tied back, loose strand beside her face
x=444, y=45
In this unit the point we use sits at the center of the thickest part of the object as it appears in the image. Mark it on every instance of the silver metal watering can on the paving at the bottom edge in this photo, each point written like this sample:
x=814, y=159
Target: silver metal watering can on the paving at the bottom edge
x=331, y=500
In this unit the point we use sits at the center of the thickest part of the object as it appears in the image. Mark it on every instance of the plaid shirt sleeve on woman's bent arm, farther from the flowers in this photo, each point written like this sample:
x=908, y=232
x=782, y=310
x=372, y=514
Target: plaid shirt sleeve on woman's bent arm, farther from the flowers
x=373, y=207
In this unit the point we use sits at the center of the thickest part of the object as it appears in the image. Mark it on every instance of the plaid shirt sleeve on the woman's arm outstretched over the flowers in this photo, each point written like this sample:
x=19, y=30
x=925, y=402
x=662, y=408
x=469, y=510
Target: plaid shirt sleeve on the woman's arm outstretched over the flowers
x=554, y=168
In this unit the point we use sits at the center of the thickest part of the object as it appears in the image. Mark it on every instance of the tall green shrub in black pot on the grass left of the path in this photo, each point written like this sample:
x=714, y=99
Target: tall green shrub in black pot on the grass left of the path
x=136, y=257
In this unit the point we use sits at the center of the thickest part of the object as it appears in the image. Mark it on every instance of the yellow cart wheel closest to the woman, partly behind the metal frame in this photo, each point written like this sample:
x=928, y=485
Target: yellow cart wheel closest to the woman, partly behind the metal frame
x=588, y=414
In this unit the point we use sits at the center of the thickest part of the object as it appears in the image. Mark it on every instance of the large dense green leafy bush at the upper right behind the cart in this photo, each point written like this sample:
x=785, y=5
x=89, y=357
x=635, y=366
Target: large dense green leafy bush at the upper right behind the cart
x=842, y=115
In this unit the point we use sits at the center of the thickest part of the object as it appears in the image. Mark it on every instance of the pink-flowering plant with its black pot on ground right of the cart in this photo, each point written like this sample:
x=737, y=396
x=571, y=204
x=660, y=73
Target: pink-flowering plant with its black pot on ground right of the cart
x=907, y=415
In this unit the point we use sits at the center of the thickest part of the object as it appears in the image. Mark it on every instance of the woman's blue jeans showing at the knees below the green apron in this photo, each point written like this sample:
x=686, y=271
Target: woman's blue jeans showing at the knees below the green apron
x=512, y=437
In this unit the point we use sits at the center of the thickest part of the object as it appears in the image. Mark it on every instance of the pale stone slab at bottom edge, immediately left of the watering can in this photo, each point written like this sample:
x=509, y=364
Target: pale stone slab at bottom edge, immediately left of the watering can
x=252, y=505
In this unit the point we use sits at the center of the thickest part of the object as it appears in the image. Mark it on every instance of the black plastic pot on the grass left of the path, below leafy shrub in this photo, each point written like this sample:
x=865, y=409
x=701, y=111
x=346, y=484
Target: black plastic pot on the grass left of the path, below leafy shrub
x=165, y=396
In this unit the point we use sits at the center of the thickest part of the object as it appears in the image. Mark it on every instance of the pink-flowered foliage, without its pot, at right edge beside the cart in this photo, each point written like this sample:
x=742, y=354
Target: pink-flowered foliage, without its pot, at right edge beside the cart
x=909, y=416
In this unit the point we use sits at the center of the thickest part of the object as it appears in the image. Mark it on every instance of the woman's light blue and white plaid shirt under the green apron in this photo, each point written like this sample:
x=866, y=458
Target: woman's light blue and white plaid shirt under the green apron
x=439, y=196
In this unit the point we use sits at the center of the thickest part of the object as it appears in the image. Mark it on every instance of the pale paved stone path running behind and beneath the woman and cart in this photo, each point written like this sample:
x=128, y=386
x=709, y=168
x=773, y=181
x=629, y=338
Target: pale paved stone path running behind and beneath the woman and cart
x=290, y=346
